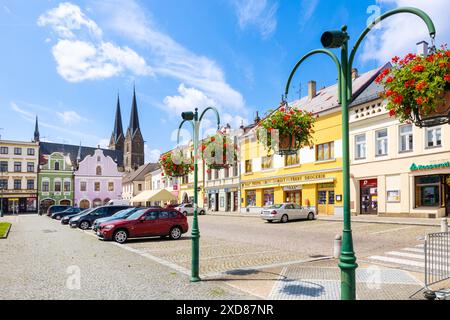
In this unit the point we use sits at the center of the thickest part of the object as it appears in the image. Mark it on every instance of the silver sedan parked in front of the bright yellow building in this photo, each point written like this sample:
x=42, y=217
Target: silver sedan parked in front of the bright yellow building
x=288, y=211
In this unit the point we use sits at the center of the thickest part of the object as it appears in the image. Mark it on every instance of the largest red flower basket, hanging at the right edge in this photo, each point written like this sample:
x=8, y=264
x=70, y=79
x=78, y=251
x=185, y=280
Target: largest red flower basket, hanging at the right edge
x=417, y=88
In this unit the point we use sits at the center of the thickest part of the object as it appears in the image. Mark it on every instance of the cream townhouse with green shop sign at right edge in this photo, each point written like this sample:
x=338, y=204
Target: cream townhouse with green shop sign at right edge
x=396, y=169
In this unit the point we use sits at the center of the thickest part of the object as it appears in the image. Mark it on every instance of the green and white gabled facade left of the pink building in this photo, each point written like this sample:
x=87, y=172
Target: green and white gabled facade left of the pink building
x=55, y=181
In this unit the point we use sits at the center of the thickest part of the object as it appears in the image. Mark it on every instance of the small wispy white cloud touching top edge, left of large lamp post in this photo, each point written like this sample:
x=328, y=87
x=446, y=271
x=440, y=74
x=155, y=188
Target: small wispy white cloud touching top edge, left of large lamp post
x=259, y=14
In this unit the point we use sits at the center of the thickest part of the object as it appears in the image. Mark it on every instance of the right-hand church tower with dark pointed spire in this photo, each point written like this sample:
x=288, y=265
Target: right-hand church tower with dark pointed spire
x=134, y=142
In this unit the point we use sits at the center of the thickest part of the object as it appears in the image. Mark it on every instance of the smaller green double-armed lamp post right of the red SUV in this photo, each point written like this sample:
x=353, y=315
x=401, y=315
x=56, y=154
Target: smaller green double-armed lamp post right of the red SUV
x=195, y=121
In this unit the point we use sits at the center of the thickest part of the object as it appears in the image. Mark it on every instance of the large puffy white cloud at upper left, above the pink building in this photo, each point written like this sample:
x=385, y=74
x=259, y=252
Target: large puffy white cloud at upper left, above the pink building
x=80, y=52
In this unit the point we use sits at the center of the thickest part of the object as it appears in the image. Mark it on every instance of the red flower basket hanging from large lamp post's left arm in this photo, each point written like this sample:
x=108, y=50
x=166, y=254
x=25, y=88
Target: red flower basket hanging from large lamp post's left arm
x=294, y=128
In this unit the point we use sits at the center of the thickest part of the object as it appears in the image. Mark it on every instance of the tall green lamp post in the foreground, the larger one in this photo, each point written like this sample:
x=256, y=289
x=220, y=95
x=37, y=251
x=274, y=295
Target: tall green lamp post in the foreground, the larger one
x=333, y=40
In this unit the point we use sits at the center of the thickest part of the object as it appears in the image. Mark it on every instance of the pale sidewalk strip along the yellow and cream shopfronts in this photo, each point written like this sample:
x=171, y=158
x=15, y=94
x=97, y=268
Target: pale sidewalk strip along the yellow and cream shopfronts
x=357, y=219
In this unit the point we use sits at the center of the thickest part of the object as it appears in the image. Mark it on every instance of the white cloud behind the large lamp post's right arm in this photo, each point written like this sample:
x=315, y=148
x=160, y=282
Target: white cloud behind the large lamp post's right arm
x=399, y=34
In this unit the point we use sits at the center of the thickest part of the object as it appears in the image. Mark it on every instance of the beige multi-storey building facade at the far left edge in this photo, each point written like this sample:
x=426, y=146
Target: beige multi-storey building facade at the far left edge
x=18, y=176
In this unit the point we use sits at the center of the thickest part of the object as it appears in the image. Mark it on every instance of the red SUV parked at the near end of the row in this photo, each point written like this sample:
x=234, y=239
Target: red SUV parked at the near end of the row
x=145, y=223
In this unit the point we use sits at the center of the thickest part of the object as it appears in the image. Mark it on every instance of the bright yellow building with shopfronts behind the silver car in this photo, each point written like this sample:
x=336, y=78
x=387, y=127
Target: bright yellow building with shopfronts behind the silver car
x=313, y=177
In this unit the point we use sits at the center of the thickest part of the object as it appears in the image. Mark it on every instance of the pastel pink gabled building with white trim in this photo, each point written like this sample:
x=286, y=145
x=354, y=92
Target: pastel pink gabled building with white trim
x=97, y=180
